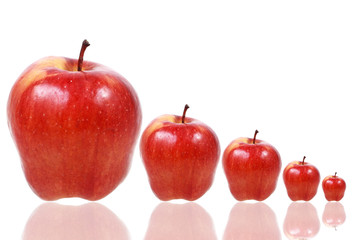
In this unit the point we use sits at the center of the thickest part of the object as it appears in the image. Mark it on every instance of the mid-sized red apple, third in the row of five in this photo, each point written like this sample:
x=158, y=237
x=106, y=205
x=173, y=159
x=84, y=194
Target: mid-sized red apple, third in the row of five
x=252, y=168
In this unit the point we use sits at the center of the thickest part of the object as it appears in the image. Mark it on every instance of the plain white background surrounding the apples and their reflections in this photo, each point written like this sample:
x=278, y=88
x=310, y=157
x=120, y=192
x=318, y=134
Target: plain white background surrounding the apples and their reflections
x=287, y=68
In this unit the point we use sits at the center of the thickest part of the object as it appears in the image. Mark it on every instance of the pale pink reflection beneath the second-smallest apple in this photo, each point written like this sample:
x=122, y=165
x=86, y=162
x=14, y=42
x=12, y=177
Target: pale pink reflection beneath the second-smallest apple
x=301, y=221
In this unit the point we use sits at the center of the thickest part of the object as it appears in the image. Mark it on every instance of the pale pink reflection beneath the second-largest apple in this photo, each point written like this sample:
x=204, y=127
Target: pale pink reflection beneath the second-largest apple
x=180, y=221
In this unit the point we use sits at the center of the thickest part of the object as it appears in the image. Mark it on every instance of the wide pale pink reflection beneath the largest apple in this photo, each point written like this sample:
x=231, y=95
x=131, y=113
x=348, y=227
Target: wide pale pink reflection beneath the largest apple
x=52, y=221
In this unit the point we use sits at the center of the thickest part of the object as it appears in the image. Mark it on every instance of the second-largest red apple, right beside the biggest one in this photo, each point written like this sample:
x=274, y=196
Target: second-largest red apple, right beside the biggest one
x=180, y=155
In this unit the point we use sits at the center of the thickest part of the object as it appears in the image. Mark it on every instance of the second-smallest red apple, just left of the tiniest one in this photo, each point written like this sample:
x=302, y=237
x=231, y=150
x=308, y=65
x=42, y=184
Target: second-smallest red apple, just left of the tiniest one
x=301, y=180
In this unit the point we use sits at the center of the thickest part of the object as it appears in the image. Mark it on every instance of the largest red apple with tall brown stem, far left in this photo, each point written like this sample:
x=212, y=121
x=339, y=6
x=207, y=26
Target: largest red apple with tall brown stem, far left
x=75, y=124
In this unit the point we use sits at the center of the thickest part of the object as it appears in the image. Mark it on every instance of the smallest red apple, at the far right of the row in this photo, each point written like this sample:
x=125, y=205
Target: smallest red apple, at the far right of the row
x=334, y=187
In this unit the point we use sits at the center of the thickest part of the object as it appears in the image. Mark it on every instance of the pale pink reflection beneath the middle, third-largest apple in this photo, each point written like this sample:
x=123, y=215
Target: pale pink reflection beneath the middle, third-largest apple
x=252, y=221
